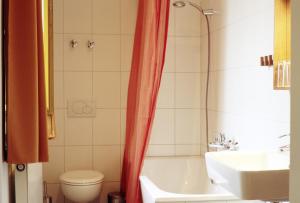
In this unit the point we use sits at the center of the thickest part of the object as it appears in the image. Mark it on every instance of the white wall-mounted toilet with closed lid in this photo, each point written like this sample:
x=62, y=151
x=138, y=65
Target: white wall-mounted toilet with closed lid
x=81, y=185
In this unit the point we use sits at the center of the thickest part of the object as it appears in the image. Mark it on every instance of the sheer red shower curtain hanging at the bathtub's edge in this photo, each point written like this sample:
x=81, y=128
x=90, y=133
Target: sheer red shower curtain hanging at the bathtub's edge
x=146, y=70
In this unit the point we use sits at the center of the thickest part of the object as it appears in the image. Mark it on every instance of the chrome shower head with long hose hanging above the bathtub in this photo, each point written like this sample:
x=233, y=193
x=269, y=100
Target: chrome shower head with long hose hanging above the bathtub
x=206, y=13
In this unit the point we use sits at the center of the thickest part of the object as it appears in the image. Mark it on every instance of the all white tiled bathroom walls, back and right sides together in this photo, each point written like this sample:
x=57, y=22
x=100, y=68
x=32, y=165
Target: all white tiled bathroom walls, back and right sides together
x=242, y=101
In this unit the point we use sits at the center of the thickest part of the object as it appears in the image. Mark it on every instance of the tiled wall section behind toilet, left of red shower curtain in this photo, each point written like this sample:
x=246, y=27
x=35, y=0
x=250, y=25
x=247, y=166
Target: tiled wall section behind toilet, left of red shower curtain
x=99, y=75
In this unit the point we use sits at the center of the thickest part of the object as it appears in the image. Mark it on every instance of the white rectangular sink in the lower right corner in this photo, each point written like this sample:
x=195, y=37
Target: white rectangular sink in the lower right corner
x=251, y=175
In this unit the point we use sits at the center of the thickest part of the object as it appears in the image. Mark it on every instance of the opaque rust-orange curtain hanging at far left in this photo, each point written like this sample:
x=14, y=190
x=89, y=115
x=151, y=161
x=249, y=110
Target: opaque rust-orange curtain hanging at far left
x=26, y=101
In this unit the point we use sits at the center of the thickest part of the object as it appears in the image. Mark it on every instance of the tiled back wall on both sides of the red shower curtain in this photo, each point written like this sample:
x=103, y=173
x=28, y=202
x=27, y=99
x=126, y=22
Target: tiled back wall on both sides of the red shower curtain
x=101, y=75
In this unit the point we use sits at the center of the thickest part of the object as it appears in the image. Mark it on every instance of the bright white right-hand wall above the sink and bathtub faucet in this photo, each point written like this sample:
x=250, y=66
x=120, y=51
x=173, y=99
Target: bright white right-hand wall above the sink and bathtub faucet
x=242, y=102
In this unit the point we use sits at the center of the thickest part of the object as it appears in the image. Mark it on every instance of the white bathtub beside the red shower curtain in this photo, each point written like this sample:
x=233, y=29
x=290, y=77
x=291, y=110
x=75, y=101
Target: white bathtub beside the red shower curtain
x=180, y=179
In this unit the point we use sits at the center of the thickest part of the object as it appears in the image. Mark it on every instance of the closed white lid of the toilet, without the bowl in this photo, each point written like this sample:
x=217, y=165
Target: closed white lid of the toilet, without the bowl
x=81, y=177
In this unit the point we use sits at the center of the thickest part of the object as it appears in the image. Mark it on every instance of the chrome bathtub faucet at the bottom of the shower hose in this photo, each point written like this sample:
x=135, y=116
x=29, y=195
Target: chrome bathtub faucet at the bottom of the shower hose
x=221, y=143
